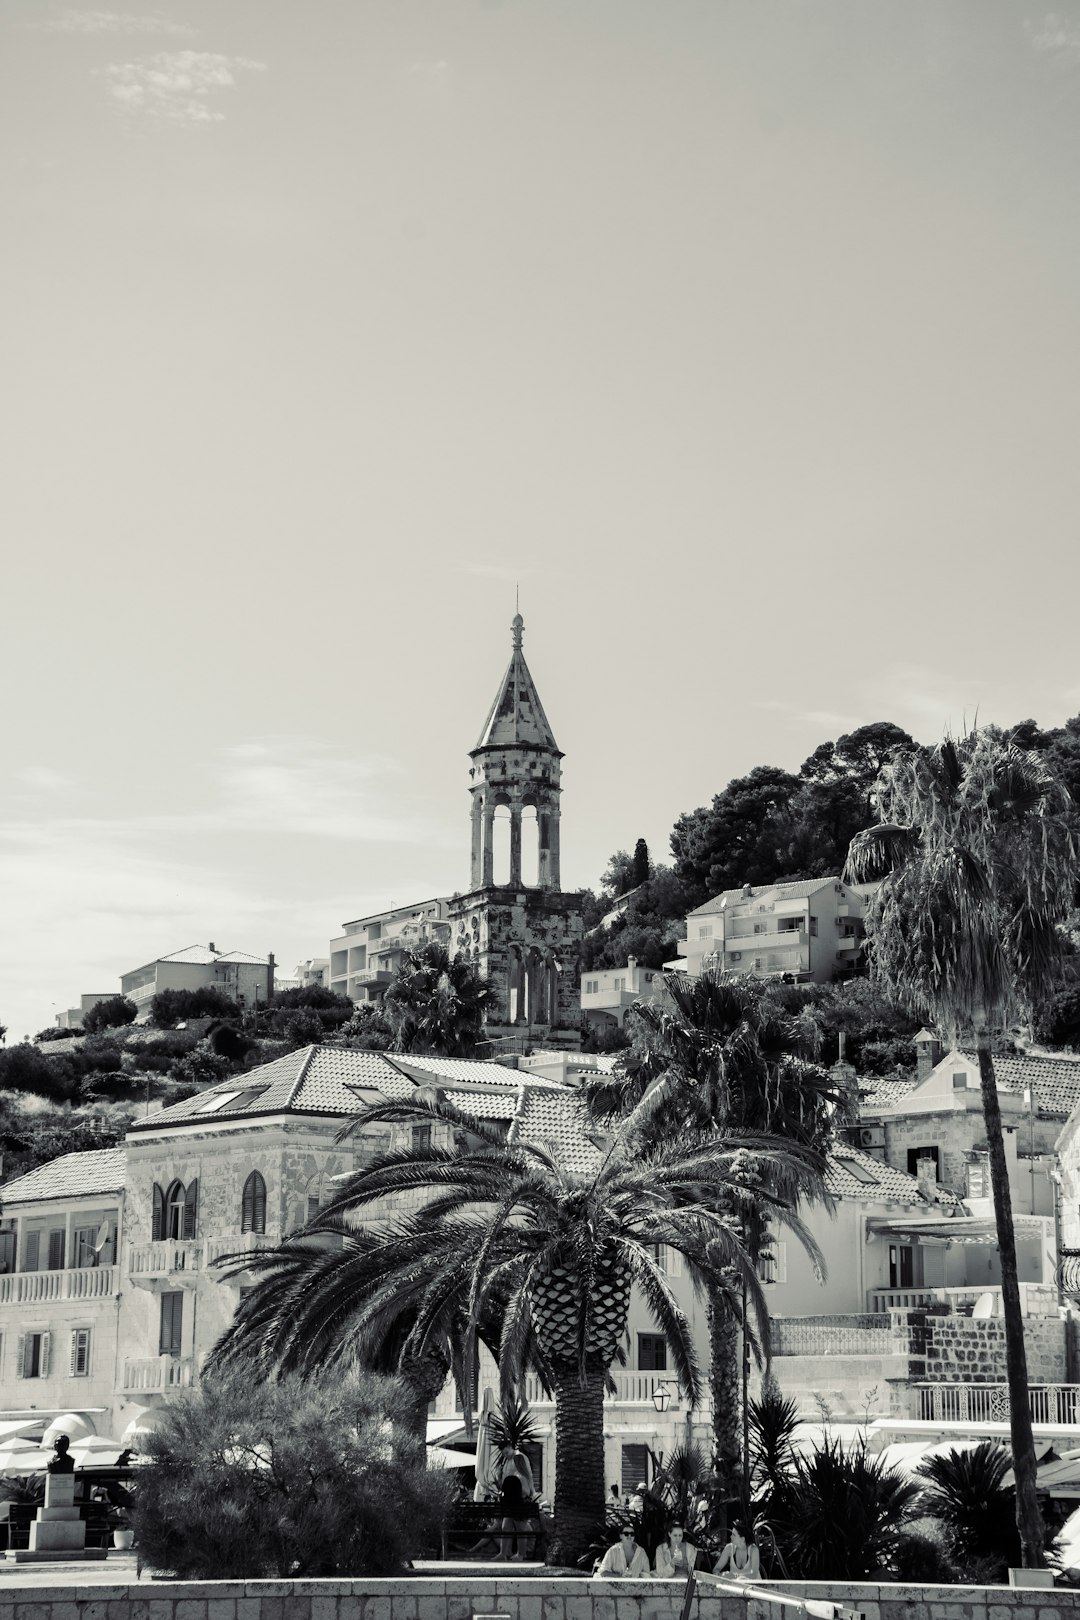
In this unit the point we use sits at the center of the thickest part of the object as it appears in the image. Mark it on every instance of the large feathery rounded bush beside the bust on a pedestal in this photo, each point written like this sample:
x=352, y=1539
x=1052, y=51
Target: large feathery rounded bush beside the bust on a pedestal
x=299, y=1478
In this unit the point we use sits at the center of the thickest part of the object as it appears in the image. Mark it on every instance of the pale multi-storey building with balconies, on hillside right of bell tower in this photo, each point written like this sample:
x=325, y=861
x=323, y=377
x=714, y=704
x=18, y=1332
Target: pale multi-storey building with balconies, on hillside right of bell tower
x=812, y=931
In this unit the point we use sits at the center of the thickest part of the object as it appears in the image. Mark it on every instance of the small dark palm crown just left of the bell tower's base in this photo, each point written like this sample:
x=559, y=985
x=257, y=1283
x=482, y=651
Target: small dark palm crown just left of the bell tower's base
x=436, y=1004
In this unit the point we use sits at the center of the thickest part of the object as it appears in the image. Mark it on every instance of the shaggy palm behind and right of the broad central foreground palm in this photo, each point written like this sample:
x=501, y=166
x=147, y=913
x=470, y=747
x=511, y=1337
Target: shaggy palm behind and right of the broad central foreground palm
x=716, y=1055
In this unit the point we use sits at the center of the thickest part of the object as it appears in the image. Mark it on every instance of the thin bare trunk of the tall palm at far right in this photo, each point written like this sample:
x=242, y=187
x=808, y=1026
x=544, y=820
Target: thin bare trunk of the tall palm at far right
x=1029, y=1517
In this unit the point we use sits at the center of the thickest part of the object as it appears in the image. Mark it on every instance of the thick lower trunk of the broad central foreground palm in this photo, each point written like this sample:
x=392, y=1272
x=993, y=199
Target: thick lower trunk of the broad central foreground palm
x=580, y=1490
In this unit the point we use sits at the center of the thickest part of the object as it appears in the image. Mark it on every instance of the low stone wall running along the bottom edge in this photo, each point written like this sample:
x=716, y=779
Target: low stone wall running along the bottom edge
x=537, y=1598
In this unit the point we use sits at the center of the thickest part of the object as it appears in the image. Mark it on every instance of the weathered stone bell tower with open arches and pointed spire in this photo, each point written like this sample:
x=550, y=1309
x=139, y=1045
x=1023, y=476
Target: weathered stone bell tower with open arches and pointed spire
x=516, y=924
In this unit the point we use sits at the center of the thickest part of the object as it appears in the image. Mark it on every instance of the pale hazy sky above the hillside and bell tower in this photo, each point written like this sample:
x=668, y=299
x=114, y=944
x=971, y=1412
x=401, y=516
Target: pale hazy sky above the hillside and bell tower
x=741, y=336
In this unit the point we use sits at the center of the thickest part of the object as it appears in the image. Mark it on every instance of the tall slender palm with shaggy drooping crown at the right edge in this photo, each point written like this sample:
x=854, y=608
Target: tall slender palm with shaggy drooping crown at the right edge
x=979, y=868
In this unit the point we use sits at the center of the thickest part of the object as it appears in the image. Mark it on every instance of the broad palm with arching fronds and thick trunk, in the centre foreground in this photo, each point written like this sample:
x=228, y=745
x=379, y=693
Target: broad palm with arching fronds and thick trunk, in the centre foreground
x=558, y=1251
